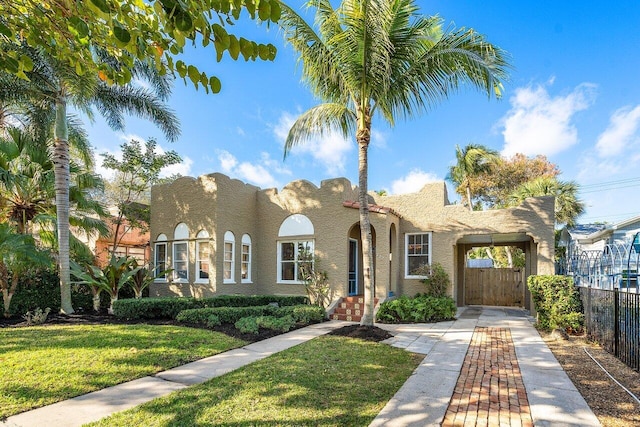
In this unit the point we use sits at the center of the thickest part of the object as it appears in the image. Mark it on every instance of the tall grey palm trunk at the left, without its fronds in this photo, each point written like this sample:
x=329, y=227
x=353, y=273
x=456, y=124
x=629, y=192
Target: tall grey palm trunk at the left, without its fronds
x=61, y=172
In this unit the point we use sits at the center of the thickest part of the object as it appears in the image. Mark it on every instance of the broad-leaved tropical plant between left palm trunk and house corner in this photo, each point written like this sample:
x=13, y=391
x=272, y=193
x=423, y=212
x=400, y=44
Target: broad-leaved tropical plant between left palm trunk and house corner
x=111, y=278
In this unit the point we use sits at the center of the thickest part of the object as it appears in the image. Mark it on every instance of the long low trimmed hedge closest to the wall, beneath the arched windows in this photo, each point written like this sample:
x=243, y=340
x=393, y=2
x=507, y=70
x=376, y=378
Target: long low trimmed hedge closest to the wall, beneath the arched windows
x=168, y=308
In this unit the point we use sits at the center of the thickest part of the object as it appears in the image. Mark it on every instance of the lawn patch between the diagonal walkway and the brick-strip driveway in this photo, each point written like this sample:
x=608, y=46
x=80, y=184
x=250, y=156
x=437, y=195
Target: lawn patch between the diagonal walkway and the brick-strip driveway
x=328, y=381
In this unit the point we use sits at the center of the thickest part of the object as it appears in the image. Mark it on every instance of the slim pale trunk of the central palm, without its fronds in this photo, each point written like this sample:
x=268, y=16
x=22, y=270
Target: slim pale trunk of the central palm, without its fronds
x=363, y=137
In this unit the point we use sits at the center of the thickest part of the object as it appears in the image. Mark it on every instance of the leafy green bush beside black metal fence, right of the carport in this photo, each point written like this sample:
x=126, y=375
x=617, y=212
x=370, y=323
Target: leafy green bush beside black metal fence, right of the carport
x=557, y=302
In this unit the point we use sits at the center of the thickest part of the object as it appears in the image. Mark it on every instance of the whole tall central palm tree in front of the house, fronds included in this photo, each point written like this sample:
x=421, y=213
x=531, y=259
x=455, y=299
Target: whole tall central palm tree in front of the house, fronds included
x=380, y=56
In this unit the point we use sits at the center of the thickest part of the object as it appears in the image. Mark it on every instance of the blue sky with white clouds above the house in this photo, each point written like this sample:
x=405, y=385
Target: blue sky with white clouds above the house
x=573, y=95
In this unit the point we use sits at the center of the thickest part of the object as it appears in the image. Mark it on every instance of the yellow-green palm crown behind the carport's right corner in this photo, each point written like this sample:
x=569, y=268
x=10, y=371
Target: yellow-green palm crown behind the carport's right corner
x=568, y=206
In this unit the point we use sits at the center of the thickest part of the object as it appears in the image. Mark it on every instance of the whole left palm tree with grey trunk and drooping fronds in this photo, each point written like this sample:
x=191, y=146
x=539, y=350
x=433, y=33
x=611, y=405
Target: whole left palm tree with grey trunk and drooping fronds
x=52, y=86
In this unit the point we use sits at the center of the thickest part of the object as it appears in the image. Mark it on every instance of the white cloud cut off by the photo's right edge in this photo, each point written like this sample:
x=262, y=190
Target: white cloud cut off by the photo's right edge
x=621, y=133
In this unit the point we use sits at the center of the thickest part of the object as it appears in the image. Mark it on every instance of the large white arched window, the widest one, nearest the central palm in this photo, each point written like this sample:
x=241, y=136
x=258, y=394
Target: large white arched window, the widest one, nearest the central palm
x=295, y=249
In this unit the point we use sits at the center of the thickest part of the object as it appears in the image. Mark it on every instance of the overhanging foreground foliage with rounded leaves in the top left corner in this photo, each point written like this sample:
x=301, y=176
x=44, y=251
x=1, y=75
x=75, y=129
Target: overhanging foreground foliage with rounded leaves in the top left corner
x=156, y=32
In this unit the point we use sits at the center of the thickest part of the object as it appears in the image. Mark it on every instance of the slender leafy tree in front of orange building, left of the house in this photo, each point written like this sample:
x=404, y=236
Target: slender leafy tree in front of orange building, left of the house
x=138, y=170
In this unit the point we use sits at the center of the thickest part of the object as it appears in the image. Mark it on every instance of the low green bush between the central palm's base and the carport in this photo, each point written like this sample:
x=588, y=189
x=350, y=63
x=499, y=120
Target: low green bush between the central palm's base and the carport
x=419, y=309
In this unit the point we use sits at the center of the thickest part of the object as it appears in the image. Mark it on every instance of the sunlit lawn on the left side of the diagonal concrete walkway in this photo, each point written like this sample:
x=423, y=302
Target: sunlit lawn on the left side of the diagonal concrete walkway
x=46, y=364
